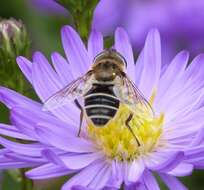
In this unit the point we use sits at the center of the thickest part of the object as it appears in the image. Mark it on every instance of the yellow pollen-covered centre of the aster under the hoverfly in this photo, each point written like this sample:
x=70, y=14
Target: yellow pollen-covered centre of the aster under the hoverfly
x=116, y=140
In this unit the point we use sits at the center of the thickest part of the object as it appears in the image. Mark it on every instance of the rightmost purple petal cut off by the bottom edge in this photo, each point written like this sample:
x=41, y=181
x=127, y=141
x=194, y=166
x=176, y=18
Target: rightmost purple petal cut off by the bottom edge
x=172, y=182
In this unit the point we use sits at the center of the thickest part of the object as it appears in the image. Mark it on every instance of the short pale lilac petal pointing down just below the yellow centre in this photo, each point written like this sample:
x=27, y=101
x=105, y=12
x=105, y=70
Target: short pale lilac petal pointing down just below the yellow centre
x=136, y=170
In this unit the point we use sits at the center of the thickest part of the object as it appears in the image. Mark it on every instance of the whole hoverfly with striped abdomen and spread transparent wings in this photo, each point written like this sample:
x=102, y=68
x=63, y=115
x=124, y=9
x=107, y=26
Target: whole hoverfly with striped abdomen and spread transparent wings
x=102, y=88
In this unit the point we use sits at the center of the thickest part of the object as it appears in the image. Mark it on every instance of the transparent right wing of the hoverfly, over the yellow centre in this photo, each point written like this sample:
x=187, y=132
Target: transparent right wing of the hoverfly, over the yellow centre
x=129, y=94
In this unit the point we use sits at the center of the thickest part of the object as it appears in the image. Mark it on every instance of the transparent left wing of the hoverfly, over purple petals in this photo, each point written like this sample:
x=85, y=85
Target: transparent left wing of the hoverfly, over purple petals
x=73, y=90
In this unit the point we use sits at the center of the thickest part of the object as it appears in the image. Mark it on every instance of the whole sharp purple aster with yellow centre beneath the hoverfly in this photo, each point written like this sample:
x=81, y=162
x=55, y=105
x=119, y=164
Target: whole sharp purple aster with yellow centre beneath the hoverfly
x=108, y=157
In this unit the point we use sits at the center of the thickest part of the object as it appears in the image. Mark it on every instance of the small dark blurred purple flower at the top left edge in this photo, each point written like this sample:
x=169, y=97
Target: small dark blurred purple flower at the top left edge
x=48, y=6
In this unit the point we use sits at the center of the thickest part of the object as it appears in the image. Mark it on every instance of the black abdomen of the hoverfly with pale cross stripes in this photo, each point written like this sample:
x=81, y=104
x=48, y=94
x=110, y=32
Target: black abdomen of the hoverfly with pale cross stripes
x=101, y=104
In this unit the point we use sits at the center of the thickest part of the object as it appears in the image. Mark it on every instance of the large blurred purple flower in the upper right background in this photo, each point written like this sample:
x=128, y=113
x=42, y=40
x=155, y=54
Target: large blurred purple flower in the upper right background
x=180, y=22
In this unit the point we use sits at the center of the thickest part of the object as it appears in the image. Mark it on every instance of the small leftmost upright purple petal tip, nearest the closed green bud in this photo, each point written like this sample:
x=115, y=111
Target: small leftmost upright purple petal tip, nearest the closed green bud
x=26, y=67
